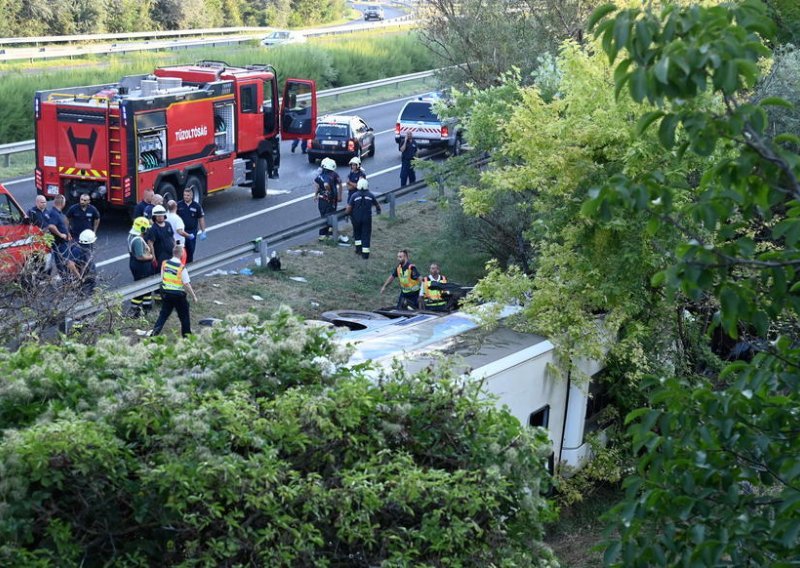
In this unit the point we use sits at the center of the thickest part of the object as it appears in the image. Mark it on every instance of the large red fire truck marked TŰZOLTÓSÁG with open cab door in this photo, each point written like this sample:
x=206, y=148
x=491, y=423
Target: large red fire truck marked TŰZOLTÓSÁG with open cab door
x=206, y=126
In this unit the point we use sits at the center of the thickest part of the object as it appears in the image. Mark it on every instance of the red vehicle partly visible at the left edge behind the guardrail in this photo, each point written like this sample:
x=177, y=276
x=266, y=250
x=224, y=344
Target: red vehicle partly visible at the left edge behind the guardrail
x=20, y=240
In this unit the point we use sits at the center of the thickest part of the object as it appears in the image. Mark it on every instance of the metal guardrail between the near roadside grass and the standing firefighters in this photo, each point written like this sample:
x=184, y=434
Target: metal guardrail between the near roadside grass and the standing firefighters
x=261, y=245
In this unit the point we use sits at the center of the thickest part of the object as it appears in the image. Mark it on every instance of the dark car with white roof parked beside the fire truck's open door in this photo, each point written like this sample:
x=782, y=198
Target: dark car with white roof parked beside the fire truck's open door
x=341, y=137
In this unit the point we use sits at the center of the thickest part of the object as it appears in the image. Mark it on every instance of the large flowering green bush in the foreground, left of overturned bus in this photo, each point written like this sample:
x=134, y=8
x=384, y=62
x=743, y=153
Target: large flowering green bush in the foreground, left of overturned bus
x=254, y=445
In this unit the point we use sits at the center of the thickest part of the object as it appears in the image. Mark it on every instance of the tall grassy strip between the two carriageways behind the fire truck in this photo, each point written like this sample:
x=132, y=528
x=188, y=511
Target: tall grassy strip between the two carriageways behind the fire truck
x=332, y=62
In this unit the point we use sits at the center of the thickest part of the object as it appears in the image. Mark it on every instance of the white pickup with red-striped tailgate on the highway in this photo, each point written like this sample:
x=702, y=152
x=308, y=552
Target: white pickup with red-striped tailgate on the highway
x=430, y=132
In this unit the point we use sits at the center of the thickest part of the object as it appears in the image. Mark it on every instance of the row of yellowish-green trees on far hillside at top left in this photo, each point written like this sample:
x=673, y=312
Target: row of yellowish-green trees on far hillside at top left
x=66, y=17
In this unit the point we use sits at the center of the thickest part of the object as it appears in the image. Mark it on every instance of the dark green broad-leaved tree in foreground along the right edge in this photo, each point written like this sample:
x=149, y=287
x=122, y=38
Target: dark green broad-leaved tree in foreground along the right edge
x=717, y=482
